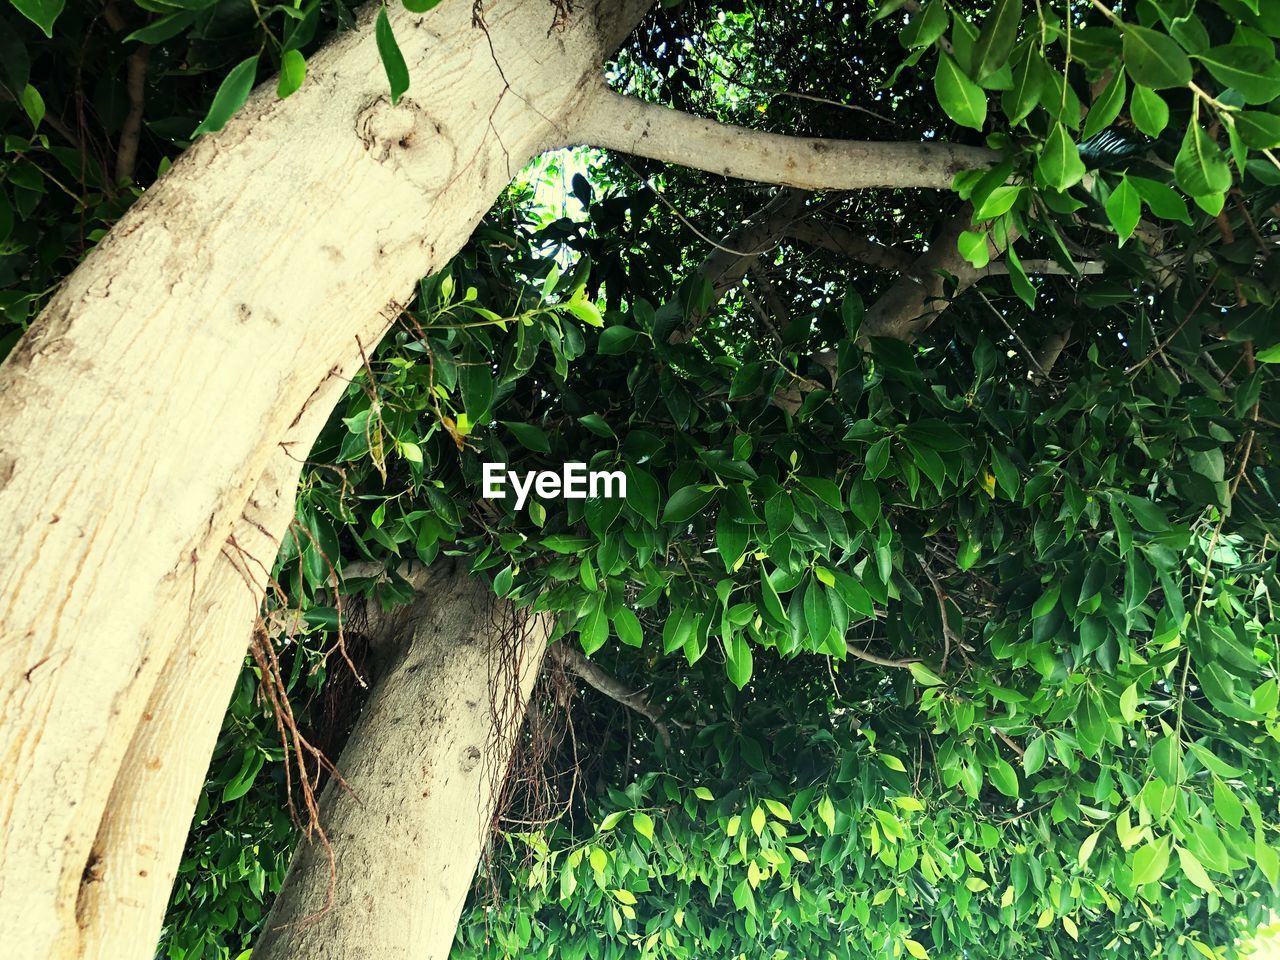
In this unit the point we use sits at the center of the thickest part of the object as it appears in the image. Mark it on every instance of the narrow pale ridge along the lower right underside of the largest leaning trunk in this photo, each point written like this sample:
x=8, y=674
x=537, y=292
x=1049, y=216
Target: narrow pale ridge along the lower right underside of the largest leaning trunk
x=140, y=842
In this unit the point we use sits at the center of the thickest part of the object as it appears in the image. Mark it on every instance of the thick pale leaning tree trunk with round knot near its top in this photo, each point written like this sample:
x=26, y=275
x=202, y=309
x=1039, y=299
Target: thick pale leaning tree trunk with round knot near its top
x=147, y=405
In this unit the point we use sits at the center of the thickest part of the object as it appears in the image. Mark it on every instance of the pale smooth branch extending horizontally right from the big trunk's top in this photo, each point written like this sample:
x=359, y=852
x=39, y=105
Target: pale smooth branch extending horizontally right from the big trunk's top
x=636, y=127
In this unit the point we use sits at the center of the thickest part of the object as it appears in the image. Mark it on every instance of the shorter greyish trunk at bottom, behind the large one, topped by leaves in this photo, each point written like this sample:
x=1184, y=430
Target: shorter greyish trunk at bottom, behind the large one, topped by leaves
x=424, y=767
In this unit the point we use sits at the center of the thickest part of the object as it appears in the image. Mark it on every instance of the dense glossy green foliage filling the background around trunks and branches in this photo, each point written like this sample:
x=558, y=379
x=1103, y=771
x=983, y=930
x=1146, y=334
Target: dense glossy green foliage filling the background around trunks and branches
x=1068, y=747
